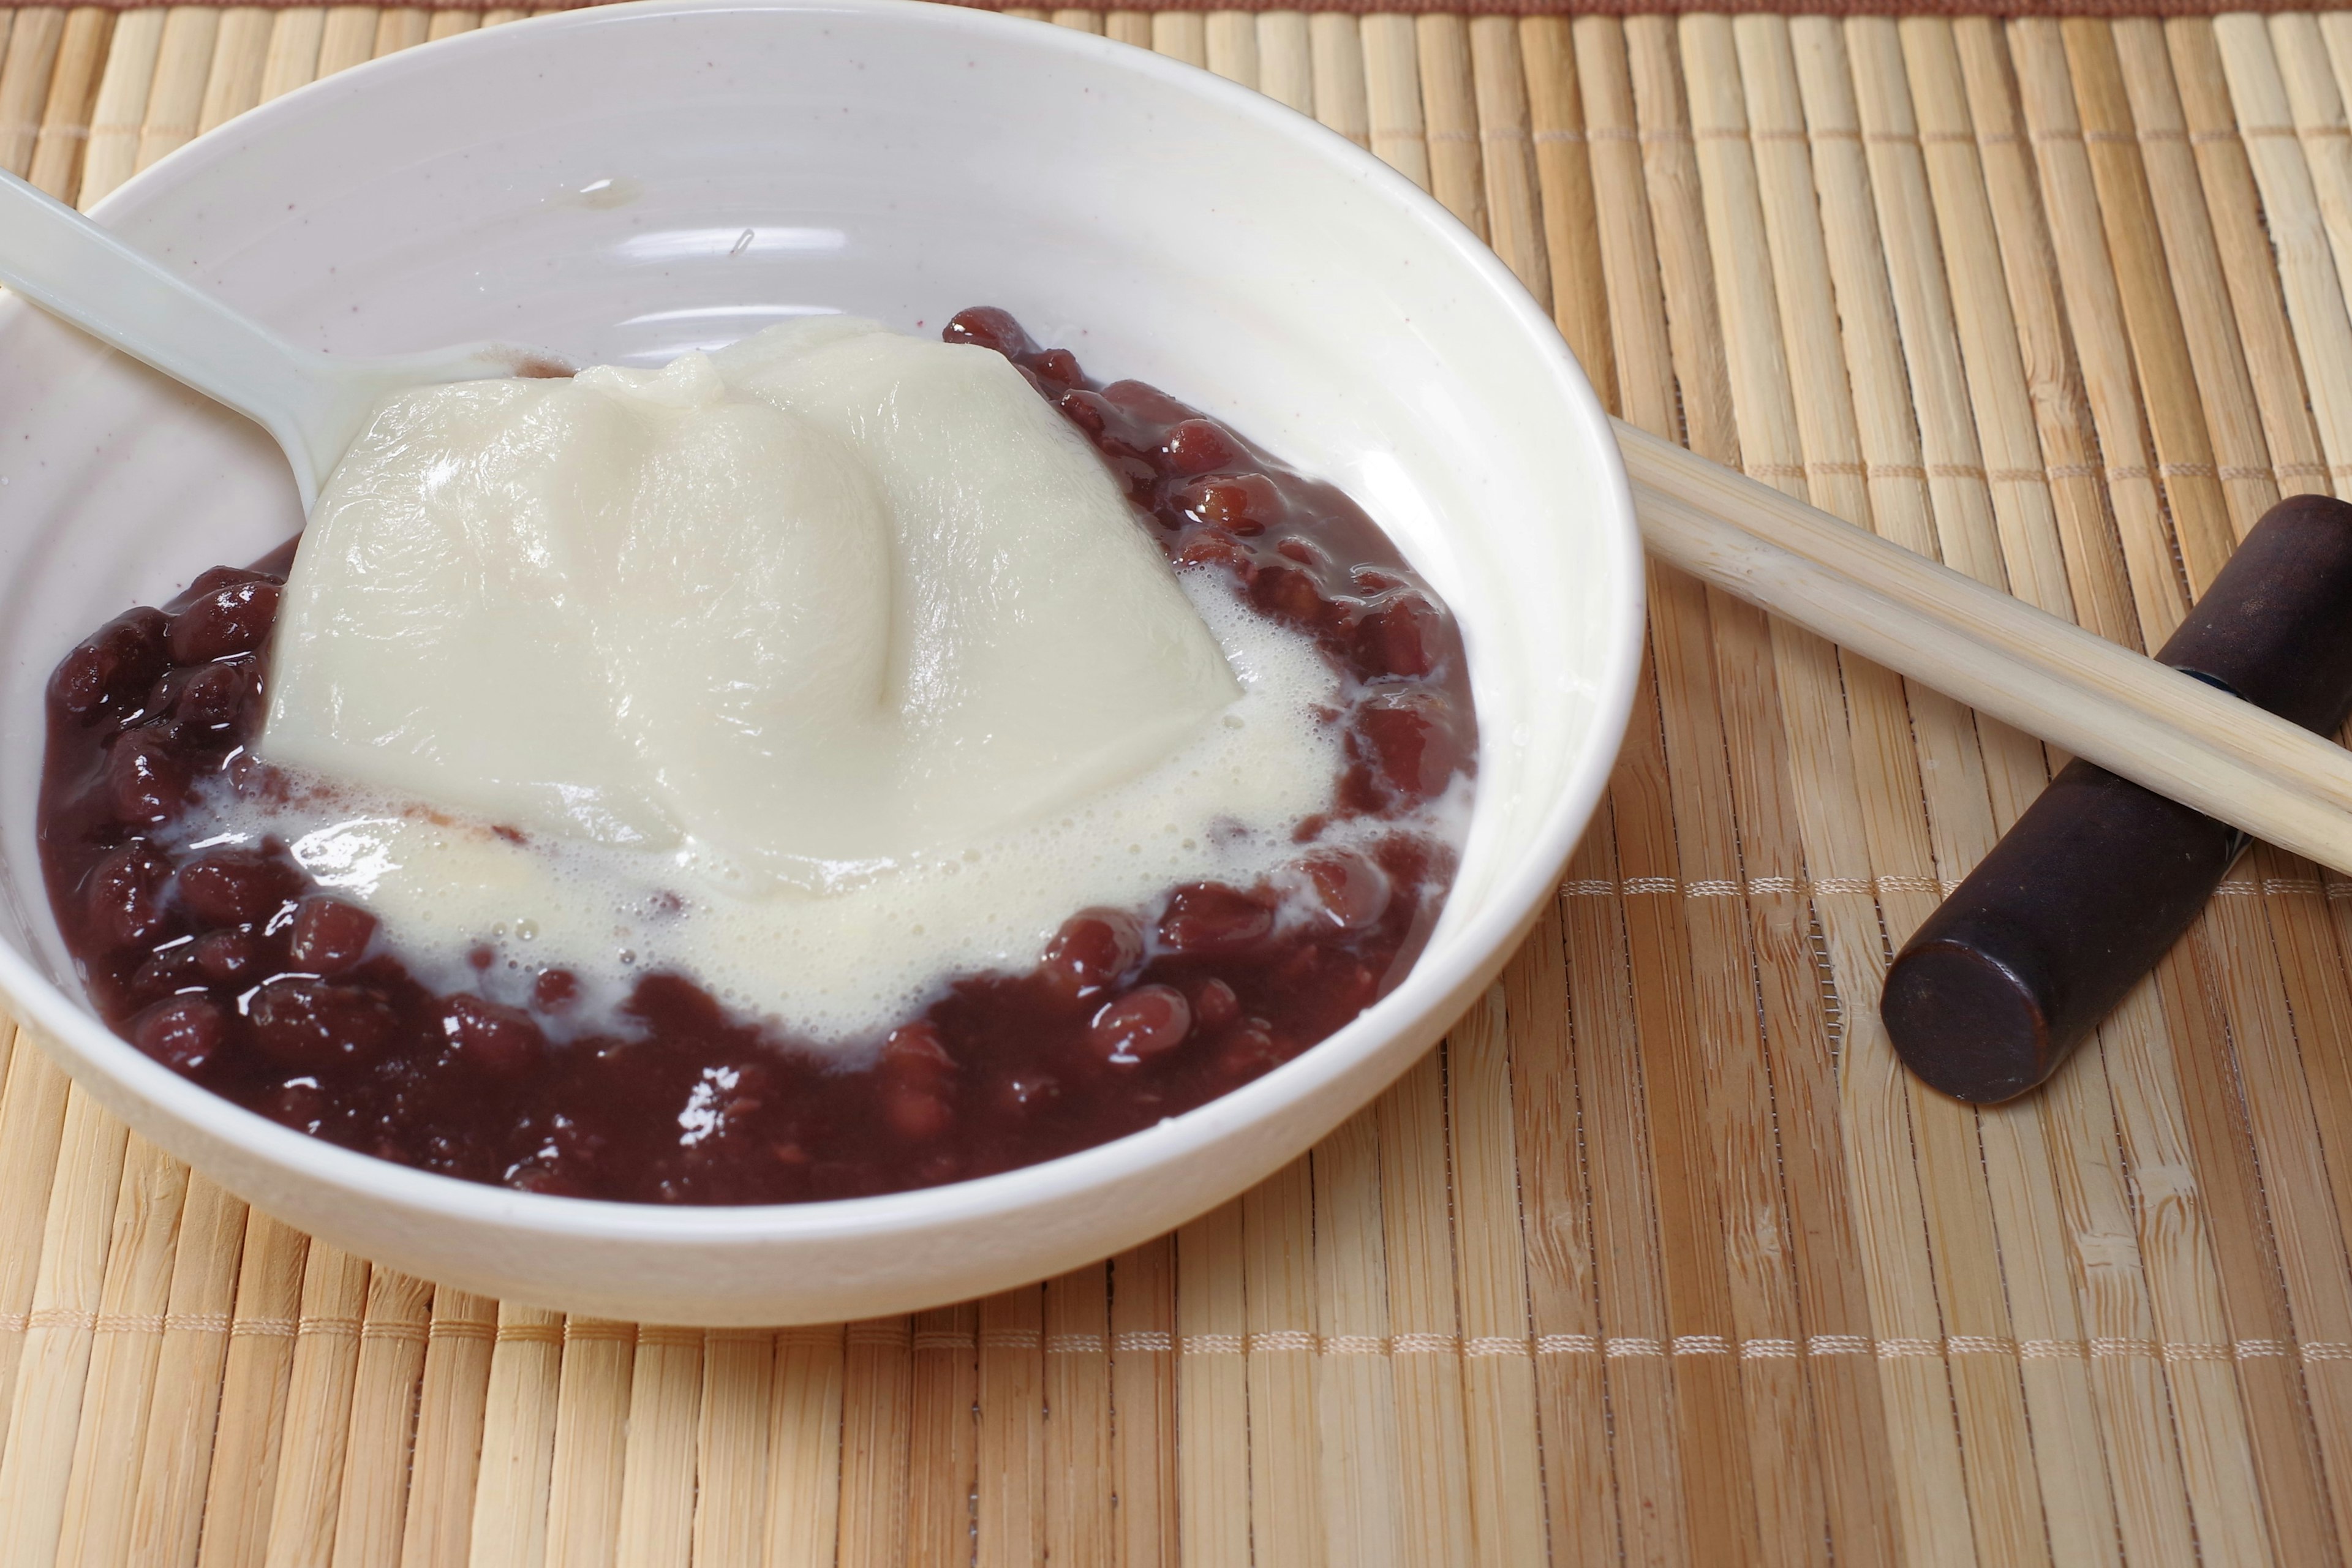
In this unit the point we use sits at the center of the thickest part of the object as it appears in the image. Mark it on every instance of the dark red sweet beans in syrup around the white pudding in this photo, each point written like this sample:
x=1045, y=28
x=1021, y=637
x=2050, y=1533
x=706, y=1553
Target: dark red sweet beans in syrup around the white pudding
x=232, y=967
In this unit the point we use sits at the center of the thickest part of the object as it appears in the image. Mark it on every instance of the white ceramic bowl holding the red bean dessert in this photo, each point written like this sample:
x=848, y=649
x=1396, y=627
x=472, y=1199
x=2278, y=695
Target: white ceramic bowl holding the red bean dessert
x=632, y=182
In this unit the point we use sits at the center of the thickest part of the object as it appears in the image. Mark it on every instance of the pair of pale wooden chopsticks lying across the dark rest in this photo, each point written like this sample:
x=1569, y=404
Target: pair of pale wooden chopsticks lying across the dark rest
x=2050, y=678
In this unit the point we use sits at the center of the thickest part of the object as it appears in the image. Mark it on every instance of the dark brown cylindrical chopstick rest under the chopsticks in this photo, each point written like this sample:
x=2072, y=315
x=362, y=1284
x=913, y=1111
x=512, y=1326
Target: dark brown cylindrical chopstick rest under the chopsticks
x=2099, y=878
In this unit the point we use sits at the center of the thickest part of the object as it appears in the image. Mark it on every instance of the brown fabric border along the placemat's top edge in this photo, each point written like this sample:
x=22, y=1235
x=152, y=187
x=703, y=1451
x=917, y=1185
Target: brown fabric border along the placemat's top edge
x=1556, y=8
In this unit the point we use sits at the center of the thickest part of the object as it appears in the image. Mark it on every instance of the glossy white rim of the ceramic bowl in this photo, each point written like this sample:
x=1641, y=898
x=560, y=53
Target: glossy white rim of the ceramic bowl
x=1483, y=944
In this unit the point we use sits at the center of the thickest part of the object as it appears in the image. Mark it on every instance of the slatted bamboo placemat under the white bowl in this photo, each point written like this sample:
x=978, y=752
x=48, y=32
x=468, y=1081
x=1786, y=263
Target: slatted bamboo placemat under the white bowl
x=1662, y=1259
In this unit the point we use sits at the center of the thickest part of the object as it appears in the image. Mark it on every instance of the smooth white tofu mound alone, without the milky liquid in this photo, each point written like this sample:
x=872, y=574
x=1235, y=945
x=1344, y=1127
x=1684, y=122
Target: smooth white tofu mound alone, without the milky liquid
x=801, y=610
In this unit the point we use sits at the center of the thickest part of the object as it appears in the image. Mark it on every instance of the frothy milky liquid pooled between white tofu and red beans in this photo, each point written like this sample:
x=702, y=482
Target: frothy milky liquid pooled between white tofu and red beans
x=846, y=965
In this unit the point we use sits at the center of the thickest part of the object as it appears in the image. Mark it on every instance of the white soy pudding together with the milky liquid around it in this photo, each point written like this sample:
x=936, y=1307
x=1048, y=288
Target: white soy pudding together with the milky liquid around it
x=822, y=669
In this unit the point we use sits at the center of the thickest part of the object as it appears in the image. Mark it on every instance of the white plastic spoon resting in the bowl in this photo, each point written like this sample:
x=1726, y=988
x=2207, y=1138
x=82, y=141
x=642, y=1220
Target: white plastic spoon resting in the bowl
x=312, y=403
